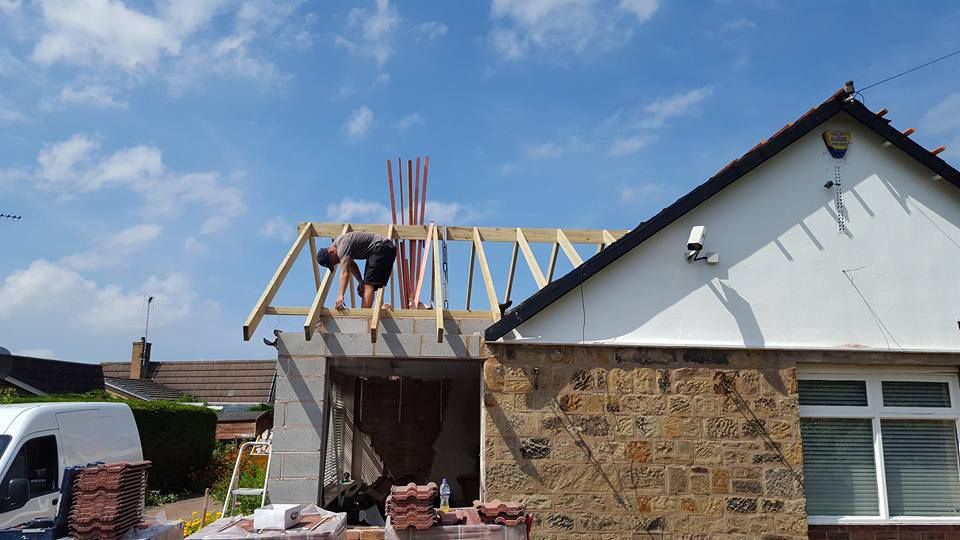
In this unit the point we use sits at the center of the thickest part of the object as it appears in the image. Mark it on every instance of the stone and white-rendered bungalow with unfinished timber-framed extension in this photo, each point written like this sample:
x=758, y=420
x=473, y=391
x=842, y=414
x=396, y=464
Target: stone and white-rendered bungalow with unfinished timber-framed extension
x=791, y=373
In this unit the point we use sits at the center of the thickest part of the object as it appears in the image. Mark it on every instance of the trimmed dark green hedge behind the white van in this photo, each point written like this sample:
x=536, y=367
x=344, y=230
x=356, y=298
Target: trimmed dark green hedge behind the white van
x=178, y=438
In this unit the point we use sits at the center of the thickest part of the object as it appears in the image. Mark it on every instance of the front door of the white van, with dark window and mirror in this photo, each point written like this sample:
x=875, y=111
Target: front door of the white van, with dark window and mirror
x=37, y=462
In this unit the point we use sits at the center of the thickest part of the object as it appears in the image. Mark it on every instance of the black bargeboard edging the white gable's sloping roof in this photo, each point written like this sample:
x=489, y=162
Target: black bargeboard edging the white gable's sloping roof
x=841, y=101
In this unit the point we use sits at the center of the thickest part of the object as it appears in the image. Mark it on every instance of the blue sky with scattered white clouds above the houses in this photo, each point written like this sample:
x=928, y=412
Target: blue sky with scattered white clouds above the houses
x=170, y=147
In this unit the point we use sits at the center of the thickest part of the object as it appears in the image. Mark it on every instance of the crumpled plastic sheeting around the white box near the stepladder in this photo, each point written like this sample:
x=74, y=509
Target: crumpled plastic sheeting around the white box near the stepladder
x=315, y=524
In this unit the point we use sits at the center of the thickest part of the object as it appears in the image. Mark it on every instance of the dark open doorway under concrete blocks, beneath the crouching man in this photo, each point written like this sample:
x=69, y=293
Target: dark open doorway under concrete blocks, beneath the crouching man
x=392, y=422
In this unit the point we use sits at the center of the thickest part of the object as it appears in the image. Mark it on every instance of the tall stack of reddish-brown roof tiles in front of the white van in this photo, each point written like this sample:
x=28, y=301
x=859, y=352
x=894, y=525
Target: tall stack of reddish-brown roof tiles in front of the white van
x=108, y=500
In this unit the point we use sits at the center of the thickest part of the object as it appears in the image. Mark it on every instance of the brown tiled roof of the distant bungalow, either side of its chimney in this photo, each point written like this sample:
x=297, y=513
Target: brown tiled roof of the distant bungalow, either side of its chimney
x=212, y=381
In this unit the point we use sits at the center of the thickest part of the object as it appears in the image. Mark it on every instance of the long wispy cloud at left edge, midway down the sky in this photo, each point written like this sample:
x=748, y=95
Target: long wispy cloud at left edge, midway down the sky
x=73, y=167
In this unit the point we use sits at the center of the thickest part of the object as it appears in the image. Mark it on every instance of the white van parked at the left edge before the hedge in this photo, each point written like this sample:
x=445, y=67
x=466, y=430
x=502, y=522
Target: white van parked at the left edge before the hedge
x=39, y=440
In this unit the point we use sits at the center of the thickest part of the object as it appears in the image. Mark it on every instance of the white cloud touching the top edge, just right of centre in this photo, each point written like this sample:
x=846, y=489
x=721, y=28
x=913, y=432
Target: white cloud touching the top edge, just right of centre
x=523, y=26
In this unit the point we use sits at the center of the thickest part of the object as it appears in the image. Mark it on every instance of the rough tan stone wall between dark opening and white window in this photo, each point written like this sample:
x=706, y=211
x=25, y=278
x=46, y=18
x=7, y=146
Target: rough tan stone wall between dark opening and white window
x=619, y=443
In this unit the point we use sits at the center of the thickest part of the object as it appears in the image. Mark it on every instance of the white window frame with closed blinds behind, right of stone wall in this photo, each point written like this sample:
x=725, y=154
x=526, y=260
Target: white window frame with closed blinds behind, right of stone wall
x=876, y=411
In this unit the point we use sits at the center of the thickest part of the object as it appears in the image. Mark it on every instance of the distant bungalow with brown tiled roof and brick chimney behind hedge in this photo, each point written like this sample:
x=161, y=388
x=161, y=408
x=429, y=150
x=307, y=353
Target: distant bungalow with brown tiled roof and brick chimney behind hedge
x=231, y=387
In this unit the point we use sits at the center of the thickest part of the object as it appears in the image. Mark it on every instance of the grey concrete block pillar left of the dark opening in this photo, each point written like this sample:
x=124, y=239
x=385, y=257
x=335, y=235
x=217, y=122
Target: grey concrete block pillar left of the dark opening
x=298, y=429
